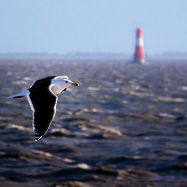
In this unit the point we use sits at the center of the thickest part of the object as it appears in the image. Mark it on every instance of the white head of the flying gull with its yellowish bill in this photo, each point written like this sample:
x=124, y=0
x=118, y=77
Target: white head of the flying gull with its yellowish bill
x=60, y=83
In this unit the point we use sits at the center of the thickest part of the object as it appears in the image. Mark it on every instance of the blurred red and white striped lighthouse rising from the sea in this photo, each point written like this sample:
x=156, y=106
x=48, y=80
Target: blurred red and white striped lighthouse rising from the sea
x=139, y=56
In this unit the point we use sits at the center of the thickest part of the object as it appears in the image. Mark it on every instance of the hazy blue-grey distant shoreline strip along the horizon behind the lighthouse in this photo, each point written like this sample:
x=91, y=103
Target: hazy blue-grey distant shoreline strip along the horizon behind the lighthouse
x=89, y=56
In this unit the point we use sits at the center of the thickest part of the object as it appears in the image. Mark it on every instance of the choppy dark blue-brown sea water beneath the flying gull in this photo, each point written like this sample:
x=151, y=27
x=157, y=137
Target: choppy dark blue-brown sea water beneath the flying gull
x=126, y=125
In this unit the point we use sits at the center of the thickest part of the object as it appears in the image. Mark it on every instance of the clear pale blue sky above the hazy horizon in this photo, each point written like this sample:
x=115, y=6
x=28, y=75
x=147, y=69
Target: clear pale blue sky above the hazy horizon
x=94, y=26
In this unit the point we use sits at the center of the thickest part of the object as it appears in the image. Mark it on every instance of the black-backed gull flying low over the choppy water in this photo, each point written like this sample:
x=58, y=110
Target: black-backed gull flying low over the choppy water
x=42, y=96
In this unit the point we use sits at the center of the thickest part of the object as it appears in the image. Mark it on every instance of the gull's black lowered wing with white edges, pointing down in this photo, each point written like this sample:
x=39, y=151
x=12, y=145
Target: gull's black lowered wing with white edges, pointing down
x=43, y=105
